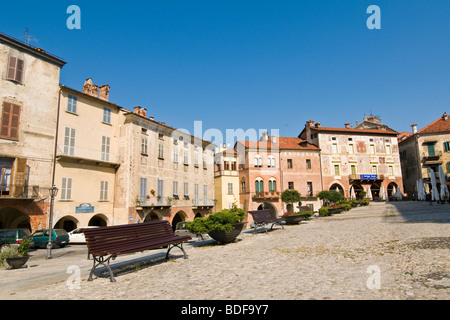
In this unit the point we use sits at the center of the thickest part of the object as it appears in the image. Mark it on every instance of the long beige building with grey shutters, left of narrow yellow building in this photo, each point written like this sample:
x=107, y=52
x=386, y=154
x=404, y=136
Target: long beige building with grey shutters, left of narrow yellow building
x=164, y=173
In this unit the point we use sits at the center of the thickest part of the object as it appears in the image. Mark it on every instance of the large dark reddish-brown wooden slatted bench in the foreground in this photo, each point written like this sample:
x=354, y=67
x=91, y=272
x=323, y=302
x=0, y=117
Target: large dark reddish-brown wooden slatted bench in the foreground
x=107, y=243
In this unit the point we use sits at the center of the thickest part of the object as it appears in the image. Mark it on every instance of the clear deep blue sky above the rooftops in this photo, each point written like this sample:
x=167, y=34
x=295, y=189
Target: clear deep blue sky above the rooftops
x=253, y=64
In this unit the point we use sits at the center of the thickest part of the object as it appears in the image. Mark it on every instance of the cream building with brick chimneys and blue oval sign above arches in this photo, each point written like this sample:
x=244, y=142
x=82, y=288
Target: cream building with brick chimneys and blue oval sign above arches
x=87, y=157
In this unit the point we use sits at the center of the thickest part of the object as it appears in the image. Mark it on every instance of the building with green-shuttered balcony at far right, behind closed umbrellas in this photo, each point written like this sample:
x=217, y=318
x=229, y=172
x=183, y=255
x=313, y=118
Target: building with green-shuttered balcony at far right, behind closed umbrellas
x=425, y=149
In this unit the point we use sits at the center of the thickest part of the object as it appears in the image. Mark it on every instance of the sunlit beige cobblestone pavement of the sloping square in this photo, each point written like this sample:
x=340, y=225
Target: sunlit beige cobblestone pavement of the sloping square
x=396, y=250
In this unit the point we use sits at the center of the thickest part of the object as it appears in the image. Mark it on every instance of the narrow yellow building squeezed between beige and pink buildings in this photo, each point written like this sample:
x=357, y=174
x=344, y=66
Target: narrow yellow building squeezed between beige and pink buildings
x=226, y=179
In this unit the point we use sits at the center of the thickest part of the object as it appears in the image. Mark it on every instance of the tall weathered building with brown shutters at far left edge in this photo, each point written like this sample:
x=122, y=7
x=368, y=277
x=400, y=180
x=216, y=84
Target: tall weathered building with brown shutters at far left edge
x=28, y=109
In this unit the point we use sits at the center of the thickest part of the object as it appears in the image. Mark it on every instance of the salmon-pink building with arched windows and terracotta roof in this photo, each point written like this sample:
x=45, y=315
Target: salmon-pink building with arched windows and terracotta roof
x=275, y=164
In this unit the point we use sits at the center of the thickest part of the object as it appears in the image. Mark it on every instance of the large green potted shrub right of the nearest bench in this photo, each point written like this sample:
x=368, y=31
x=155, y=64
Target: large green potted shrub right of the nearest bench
x=223, y=226
